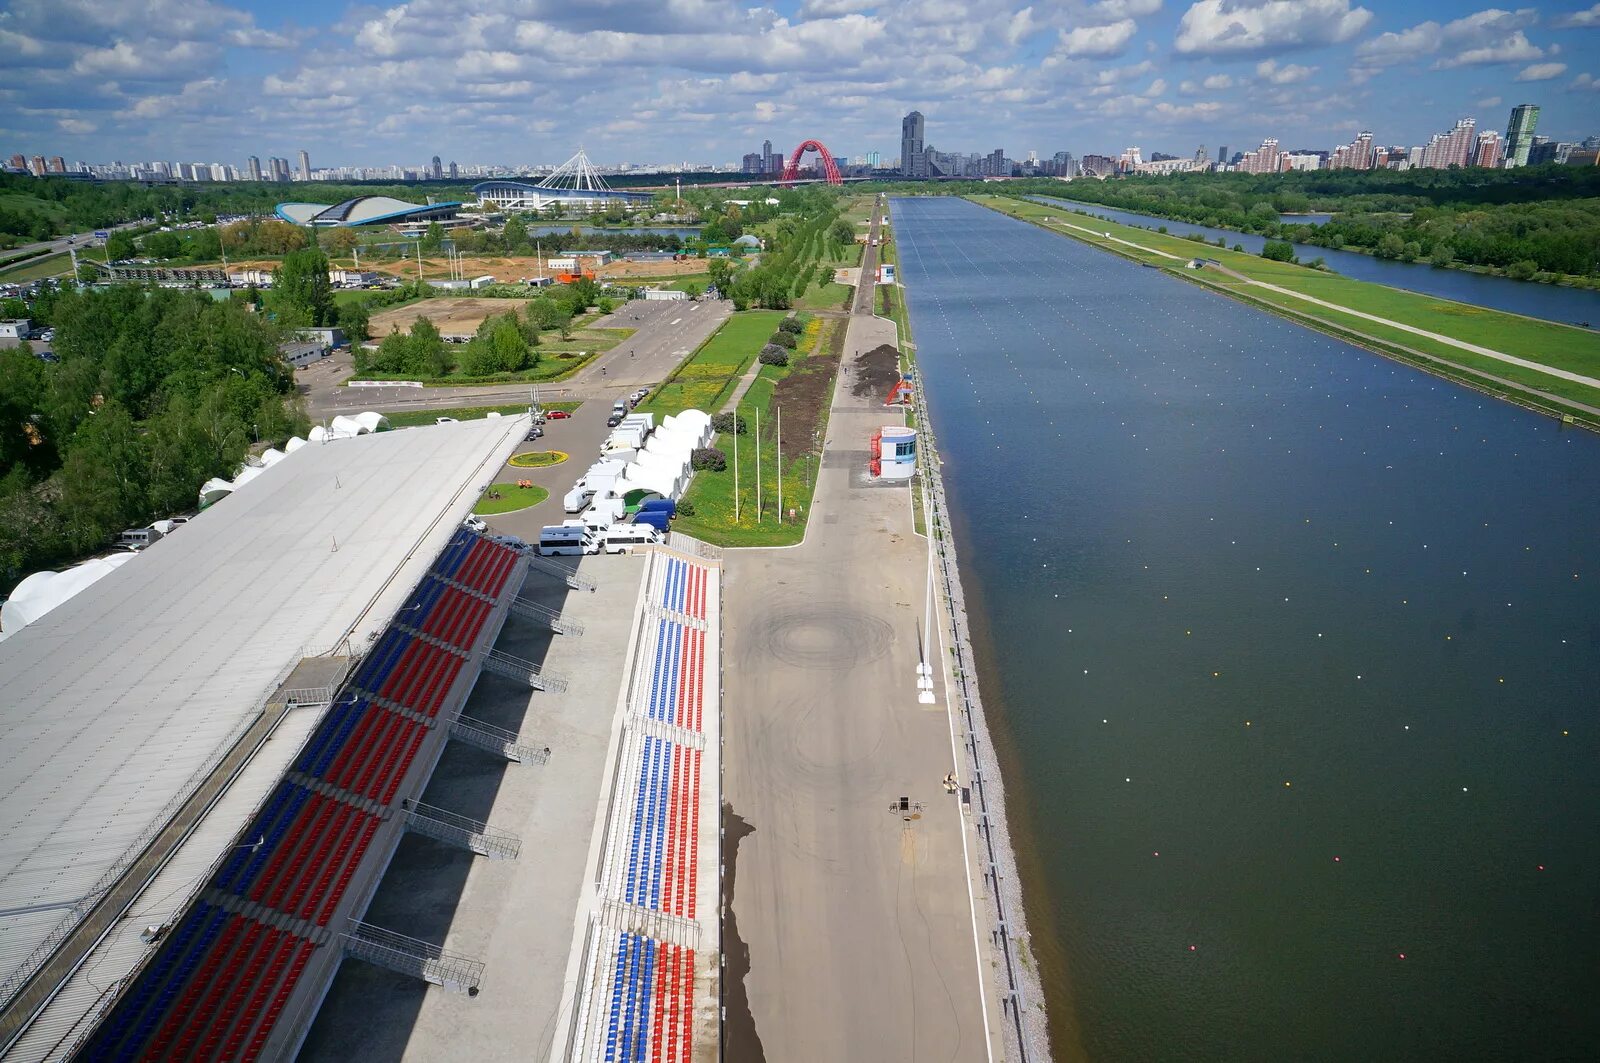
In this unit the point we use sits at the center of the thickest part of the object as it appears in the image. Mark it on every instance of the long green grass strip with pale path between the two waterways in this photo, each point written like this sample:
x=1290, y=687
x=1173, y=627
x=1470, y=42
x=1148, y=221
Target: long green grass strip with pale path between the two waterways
x=1548, y=343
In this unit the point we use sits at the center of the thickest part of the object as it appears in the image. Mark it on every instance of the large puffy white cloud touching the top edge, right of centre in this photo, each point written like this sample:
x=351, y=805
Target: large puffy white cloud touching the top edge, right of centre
x=1215, y=28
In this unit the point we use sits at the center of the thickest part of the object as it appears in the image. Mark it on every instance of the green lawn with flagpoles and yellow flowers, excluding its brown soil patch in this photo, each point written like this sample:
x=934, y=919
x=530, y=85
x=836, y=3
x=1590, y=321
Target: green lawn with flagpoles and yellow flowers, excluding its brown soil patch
x=713, y=494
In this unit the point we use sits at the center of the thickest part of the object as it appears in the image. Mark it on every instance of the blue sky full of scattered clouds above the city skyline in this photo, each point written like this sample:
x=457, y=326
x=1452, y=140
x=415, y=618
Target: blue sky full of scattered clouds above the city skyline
x=706, y=81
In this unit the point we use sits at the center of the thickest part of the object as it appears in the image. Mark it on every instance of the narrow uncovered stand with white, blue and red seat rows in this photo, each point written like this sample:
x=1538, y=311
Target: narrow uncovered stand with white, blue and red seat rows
x=644, y=977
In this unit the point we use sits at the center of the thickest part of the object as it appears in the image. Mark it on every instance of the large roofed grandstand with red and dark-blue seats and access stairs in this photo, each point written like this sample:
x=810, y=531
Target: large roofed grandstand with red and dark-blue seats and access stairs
x=209, y=758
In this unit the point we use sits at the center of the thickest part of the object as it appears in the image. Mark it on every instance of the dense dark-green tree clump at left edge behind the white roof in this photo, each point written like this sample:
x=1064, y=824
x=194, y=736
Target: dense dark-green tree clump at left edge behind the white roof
x=150, y=395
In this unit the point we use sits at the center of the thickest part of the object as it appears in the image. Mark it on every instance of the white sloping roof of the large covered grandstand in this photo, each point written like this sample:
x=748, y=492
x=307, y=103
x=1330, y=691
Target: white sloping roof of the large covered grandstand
x=122, y=700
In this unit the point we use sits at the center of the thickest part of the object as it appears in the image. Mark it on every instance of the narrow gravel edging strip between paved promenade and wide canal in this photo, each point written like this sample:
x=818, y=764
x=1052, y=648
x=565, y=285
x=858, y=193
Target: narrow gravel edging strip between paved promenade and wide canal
x=1017, y=982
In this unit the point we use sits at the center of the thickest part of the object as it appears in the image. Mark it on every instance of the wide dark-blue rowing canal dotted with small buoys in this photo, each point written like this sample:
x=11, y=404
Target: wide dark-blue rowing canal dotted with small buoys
x=1294, y=656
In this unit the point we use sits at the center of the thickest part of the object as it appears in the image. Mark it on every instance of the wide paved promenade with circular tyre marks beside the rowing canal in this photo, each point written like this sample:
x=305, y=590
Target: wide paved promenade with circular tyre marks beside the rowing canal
x=857, y=918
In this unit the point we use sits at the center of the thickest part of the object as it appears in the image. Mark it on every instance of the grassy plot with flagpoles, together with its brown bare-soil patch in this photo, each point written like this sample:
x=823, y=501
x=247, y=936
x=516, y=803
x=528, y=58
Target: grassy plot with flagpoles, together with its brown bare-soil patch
x=804, y=390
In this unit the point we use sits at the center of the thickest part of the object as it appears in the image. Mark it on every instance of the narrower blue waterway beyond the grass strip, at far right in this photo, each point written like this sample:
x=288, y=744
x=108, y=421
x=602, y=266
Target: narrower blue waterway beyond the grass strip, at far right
x=1502, y=294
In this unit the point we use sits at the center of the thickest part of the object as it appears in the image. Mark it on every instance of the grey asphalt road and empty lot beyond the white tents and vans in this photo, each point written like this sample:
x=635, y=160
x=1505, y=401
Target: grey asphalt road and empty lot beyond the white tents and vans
x=668, y=332
